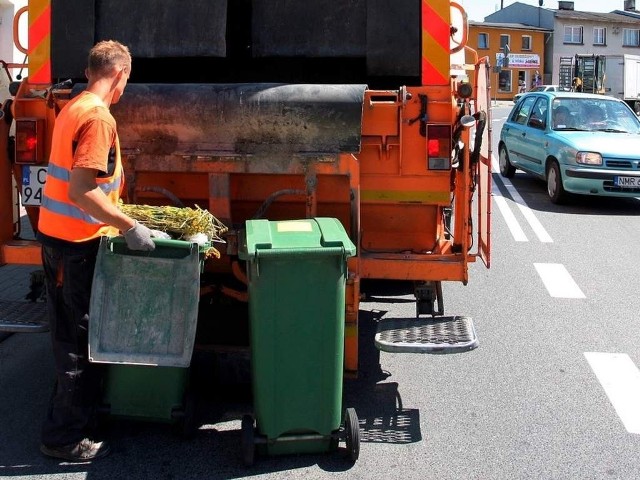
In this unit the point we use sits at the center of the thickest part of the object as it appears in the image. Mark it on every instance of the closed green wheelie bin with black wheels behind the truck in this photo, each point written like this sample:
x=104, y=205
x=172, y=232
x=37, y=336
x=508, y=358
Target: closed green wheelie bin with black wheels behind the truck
x=297, y=271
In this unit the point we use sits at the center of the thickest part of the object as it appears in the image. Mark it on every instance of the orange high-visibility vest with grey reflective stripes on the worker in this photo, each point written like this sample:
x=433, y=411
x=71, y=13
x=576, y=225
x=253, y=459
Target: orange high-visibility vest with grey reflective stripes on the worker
x=59, y=217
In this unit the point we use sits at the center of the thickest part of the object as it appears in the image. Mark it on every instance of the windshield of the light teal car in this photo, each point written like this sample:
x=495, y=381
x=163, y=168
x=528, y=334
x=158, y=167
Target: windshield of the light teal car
x=589, y=114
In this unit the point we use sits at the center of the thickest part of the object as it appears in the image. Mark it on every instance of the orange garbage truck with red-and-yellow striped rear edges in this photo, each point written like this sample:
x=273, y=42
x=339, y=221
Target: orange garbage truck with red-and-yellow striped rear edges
x=372, y=113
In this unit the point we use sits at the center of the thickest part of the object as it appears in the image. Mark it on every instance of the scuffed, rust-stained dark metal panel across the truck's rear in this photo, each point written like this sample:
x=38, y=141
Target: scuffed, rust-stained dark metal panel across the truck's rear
x=246, y=119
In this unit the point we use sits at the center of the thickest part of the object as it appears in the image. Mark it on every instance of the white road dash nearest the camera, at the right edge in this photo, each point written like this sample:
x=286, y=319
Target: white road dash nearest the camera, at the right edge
x=620, y=379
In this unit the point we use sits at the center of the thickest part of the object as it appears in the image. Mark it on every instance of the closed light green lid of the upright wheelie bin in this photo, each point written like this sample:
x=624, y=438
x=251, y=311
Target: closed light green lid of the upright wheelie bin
x=294, y=235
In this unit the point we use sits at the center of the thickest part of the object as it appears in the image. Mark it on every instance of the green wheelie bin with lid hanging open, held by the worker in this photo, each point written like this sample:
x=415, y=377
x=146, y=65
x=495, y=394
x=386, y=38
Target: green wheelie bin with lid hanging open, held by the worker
x=144, y=311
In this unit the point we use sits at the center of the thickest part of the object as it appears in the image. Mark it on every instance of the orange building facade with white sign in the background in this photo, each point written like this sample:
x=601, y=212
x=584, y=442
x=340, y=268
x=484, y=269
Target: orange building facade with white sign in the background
x=524, y=46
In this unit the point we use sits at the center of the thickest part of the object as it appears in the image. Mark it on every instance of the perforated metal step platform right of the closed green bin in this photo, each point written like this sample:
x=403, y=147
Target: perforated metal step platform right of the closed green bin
x=451, y=334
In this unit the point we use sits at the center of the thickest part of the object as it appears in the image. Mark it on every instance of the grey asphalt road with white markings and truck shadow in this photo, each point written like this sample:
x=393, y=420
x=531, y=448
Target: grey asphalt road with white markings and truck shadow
x=552, y=392
